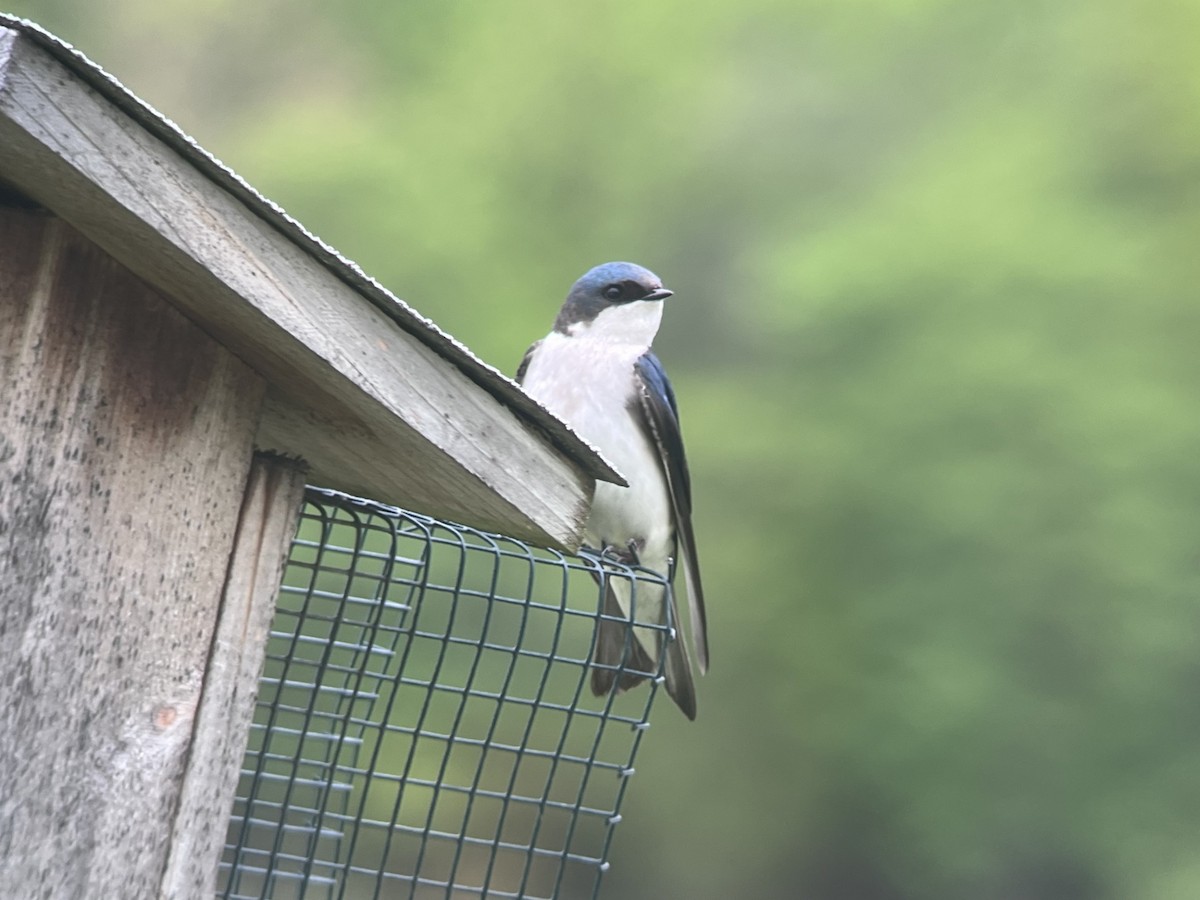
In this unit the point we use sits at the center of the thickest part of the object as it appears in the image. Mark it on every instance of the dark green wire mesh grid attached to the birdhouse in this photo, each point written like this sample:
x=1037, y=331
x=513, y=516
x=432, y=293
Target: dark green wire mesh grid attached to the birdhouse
x=423, y=727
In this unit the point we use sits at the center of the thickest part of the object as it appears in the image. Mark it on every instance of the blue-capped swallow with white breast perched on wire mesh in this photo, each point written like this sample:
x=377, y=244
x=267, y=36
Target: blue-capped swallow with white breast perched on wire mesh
x=596, y=373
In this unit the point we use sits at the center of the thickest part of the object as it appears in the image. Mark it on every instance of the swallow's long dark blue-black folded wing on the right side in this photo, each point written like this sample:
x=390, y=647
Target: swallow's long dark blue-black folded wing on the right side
x=661, y=419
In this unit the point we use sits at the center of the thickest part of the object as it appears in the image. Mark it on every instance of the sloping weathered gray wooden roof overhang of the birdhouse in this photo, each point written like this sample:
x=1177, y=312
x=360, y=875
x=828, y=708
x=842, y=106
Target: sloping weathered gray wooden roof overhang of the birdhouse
x=375, y=404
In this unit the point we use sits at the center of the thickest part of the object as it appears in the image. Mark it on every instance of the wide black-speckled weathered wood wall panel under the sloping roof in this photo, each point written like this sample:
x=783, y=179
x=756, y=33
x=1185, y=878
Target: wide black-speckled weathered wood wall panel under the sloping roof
x=125, y=442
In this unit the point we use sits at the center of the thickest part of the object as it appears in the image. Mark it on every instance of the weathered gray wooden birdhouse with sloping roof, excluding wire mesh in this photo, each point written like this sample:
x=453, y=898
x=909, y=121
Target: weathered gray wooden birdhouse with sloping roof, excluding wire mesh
x=178, y=358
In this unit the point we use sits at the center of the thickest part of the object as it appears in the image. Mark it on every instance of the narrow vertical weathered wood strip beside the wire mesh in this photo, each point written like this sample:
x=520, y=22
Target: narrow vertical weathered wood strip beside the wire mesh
x=268, y=523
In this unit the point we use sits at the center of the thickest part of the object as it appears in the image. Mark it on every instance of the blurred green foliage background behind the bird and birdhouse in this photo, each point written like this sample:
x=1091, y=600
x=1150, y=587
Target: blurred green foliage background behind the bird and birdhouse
x=935, y=341
